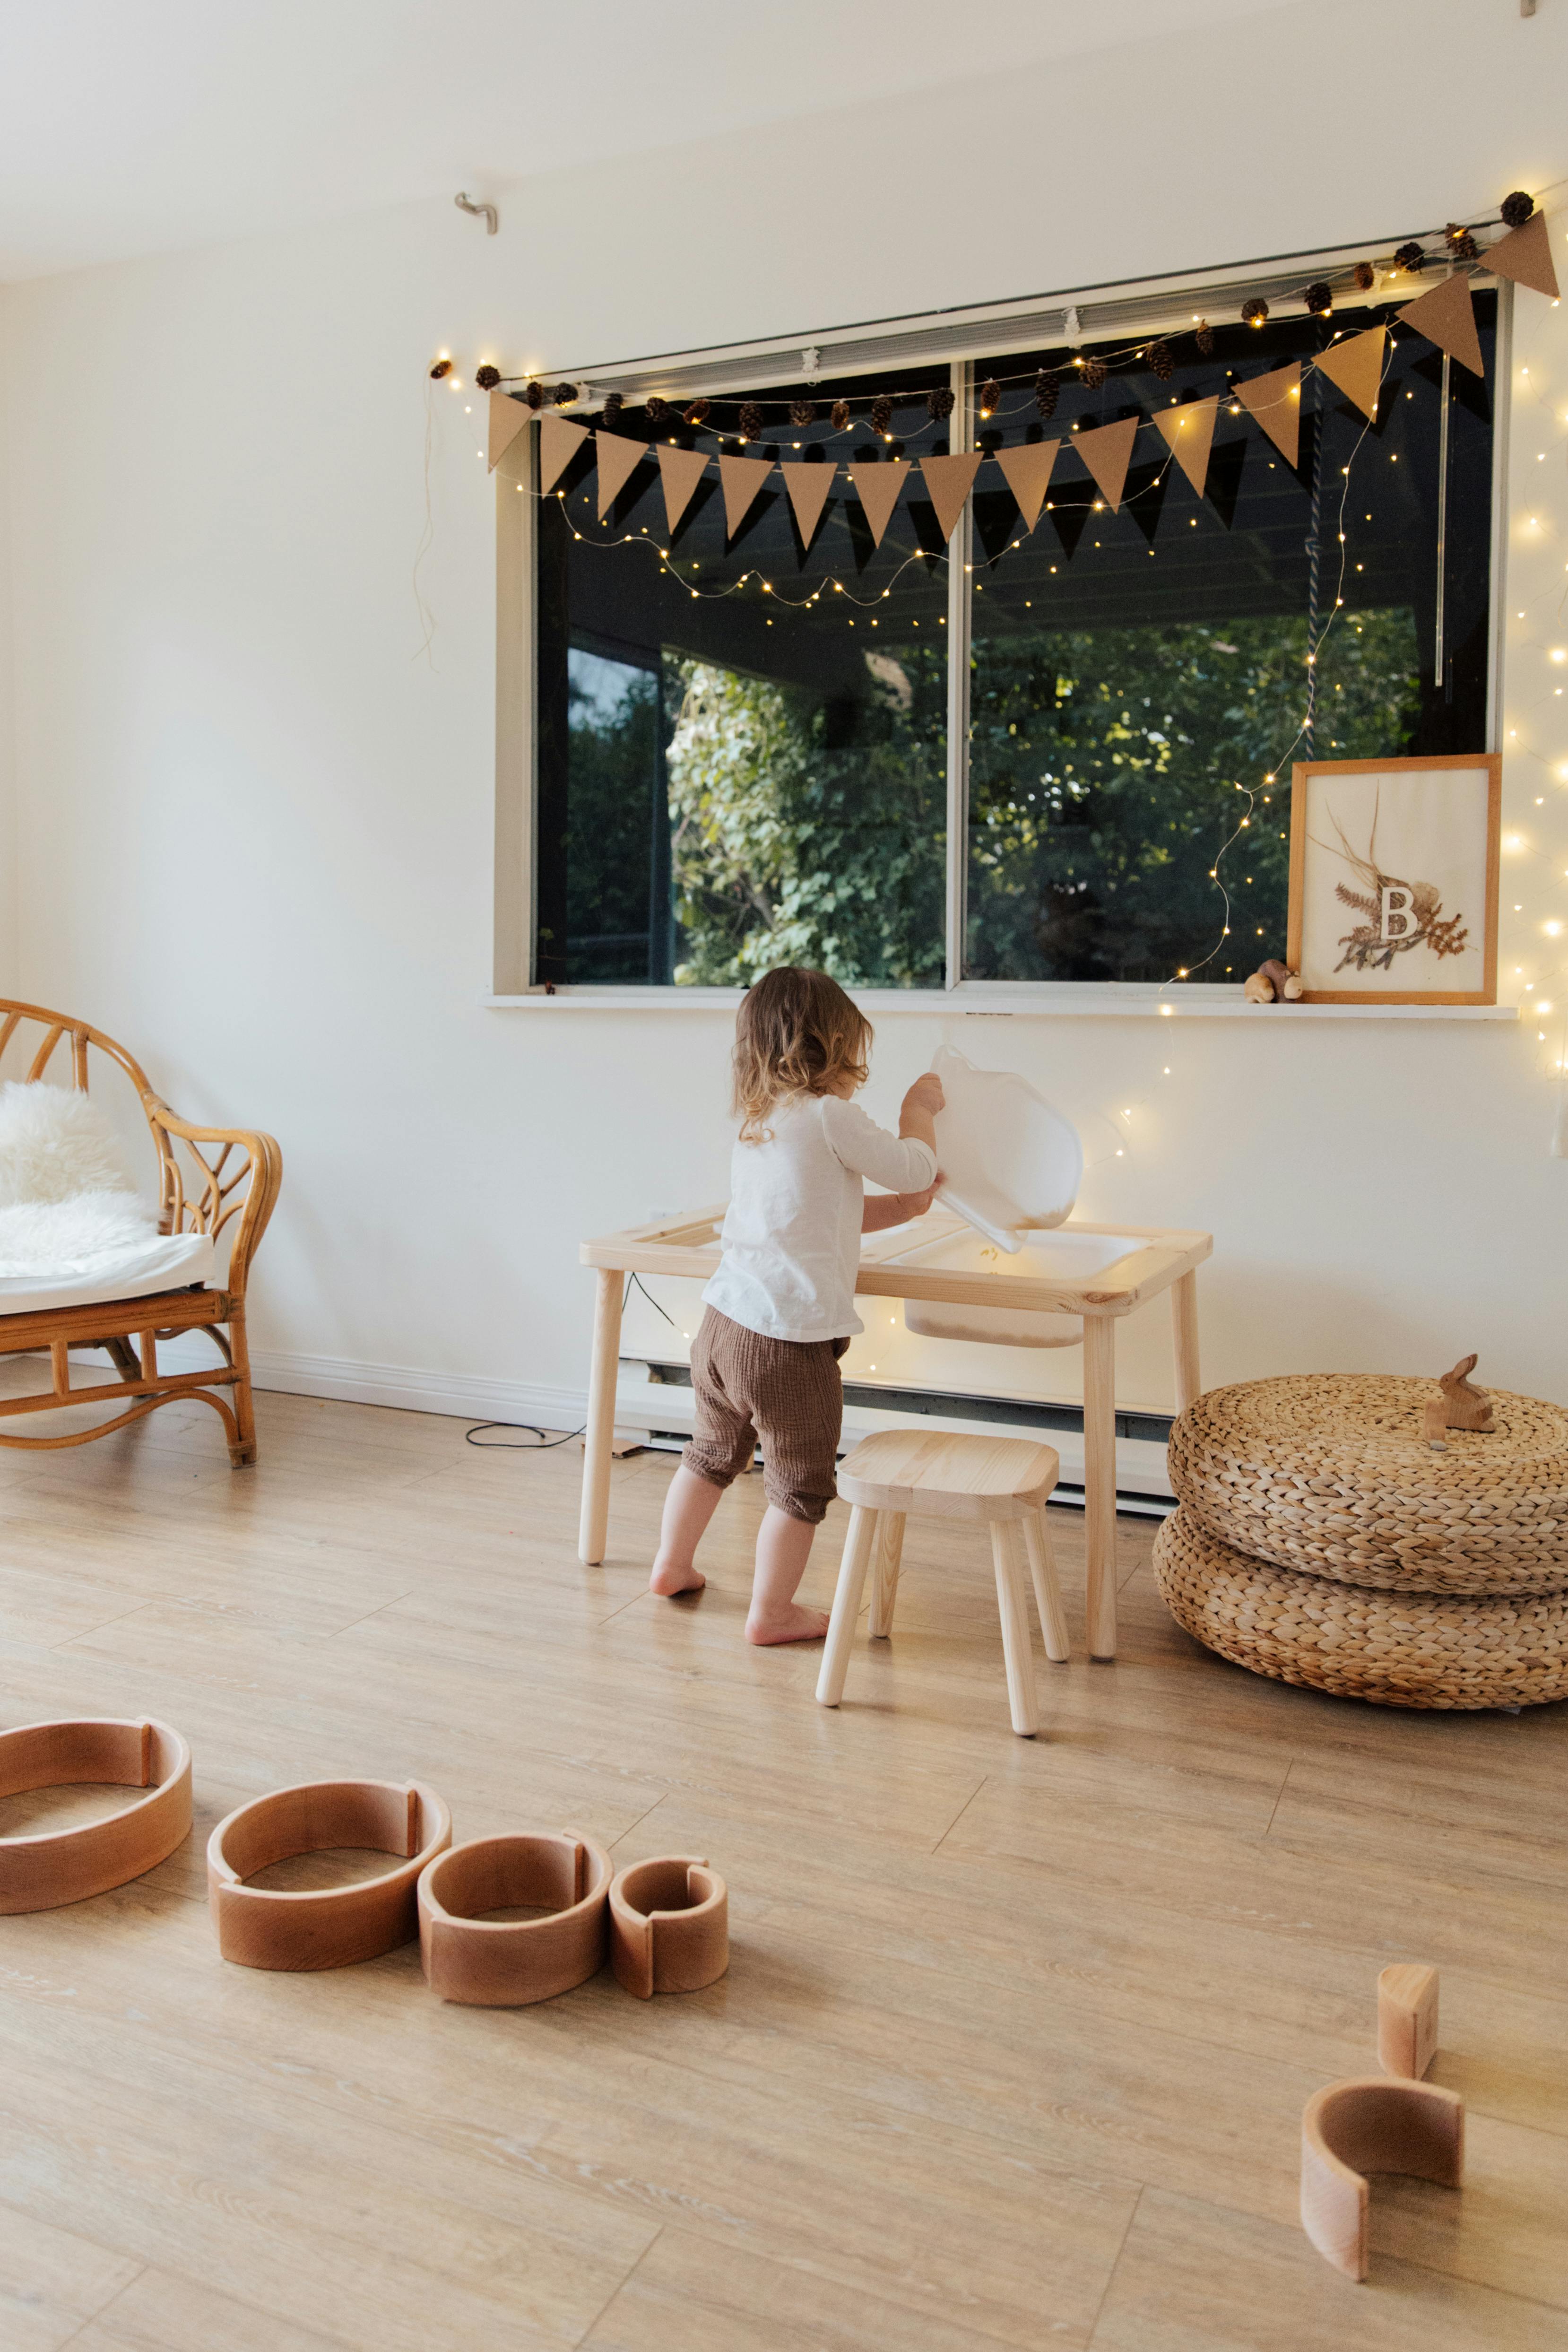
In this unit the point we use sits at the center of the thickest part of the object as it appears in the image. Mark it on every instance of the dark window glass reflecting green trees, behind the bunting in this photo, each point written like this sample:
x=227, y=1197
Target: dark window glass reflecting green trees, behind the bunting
x=744, y=742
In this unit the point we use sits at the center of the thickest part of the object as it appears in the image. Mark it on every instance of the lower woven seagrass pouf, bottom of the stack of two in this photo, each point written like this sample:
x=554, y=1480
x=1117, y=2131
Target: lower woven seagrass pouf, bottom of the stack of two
x=1400, y=1650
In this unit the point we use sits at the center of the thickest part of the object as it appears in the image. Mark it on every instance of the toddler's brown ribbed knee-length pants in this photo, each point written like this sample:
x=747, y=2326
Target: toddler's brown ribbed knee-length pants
x=782, y=1391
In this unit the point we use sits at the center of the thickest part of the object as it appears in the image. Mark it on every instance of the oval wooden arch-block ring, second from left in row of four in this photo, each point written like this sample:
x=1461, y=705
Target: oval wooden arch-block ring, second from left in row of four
x=262, y=1927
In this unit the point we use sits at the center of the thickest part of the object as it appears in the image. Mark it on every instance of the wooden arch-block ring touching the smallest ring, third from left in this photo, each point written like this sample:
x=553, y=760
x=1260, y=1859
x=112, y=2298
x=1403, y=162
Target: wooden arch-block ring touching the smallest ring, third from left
x=509, y=1963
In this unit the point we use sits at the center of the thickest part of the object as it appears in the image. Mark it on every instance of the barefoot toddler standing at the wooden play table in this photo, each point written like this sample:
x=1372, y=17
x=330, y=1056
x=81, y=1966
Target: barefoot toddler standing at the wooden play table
x=782, y=1309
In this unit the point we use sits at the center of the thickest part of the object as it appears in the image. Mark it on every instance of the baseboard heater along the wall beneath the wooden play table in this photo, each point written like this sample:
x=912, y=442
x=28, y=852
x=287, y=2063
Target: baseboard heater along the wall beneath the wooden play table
x=1141, y=1438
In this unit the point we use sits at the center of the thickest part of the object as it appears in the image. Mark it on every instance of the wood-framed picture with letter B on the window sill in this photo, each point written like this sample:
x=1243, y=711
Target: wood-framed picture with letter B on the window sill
x=1395, y=881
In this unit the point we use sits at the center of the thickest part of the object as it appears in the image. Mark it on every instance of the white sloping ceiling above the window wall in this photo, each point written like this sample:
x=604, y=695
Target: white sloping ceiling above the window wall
x=145, y=126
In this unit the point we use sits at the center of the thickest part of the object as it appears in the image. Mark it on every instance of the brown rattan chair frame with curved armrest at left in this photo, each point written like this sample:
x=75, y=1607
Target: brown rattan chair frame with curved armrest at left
x=210, y=1180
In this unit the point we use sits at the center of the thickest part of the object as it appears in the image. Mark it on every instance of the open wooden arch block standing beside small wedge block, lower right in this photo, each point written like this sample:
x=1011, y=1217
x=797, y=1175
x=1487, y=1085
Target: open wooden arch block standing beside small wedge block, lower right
x=1372, y=2125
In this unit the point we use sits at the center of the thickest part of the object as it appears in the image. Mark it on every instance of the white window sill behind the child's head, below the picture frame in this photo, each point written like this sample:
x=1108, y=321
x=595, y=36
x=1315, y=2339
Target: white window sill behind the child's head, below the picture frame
x=1038, y=1001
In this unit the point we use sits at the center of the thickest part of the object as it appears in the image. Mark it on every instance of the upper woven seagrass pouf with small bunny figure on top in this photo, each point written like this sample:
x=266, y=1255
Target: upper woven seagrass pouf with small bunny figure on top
x=1329, y=1474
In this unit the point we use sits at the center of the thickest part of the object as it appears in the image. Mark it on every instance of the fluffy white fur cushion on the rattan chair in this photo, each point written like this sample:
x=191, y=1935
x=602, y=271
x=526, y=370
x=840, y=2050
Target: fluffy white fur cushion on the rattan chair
x=67, y=1198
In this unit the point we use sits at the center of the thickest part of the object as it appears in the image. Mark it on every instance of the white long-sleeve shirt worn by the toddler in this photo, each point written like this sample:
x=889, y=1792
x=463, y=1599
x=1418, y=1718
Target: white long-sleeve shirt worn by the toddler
x=793, y=1227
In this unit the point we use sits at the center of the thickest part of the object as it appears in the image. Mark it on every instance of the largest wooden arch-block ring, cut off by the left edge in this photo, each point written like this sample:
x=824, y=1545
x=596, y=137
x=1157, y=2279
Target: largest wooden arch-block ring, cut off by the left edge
x=67, y=1866
